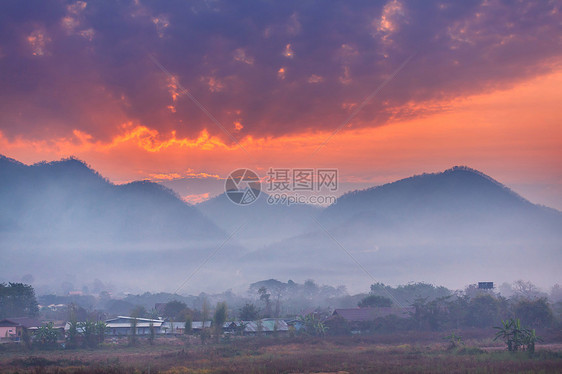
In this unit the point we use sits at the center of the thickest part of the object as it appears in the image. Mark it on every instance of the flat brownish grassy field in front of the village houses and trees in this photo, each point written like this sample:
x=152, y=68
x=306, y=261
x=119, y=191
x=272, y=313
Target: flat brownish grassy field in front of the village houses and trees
x=288, y=355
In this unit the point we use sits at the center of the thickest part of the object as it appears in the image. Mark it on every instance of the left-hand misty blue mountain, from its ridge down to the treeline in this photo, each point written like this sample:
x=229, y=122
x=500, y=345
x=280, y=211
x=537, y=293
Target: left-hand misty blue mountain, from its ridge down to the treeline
x=63, y=223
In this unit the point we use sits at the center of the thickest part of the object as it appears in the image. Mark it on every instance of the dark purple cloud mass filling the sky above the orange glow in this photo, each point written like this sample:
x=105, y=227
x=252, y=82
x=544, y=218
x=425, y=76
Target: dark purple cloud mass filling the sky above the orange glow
x=274, y=67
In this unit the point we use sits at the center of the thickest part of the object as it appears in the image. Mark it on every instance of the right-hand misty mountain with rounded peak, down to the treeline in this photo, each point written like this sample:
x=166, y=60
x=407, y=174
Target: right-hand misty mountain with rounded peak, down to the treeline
x=459, y=224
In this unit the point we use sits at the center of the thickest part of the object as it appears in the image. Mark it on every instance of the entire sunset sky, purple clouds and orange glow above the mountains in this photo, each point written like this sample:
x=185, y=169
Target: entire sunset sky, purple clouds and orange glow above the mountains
x=183, y=93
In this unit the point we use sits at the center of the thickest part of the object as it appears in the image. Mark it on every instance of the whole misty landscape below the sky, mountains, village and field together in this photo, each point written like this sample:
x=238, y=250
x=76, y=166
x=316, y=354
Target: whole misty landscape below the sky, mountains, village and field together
x=90, y=265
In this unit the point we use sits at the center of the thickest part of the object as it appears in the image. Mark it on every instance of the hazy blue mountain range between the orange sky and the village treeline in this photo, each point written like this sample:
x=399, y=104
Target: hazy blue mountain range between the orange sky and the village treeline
x=62, y=221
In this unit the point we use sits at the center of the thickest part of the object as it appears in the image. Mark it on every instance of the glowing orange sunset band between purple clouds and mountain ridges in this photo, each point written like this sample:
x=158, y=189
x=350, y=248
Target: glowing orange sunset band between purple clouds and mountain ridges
x=514, y=134
